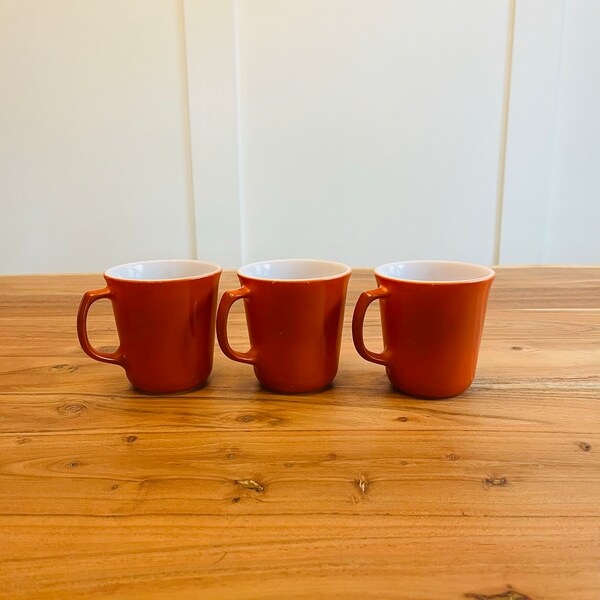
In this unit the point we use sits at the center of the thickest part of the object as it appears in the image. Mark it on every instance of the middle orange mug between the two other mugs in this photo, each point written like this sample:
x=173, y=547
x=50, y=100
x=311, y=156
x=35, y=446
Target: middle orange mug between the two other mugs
x=295, y=311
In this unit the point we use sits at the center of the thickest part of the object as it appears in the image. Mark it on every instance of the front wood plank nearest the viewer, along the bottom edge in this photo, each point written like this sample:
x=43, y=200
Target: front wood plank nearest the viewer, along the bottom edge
x=329, y=556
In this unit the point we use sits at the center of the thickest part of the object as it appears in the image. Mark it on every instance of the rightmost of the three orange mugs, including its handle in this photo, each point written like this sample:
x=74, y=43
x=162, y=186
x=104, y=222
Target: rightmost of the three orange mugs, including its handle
x=432, y=315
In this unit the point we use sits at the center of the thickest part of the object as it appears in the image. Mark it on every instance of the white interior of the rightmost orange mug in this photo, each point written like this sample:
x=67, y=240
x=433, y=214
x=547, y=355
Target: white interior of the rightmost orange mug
x=435, y=271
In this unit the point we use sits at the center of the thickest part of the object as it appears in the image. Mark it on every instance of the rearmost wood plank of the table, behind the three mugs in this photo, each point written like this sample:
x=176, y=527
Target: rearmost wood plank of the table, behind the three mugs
x=536, y=344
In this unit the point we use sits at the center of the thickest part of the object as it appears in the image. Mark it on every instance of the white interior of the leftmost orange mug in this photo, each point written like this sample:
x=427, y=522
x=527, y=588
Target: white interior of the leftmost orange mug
x=163, y=270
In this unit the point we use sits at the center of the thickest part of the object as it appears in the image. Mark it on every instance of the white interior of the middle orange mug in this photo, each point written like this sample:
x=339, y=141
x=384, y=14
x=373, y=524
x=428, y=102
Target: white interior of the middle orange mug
x=294, y=269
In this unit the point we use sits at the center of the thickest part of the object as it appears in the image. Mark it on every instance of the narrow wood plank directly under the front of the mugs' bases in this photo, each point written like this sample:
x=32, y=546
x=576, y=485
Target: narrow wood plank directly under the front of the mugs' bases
x=247, y=408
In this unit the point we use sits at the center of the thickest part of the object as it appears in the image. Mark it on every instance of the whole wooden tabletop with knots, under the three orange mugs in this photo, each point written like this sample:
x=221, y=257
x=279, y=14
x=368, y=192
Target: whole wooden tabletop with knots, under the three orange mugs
x=356, y=492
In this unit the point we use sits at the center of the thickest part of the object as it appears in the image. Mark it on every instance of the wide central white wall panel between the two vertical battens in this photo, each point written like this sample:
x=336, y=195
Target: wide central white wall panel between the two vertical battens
x=370, y=130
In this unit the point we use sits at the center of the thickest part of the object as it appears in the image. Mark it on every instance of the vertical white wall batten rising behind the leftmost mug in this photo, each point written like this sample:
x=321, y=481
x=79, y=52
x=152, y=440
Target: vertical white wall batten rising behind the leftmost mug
x=211, y=60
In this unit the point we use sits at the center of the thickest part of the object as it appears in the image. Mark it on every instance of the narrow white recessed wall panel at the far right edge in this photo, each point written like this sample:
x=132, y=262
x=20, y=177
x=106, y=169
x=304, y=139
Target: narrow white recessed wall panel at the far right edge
x=573, y=228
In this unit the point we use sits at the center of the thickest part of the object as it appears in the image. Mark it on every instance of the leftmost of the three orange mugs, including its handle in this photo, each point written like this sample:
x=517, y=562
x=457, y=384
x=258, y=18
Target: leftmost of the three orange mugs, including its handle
x=165, y=316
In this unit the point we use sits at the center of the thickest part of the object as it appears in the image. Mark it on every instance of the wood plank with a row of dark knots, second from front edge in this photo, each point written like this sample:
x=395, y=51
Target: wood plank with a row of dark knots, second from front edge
x=475, y=473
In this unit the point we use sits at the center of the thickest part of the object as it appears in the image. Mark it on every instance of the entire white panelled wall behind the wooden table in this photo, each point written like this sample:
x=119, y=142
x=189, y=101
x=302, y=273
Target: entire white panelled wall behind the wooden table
x=365, y=131
